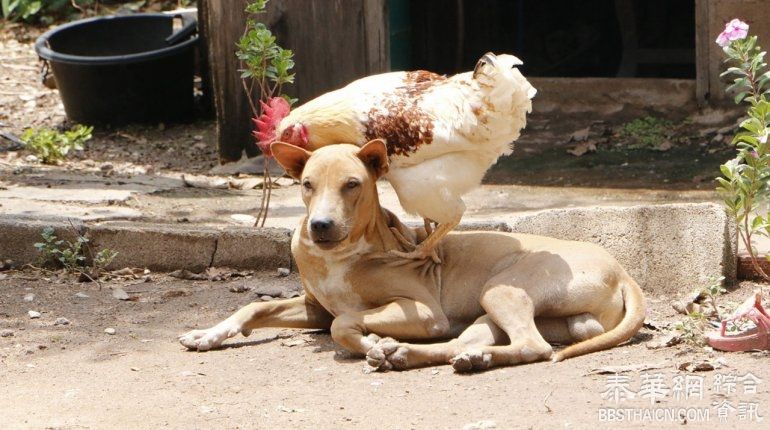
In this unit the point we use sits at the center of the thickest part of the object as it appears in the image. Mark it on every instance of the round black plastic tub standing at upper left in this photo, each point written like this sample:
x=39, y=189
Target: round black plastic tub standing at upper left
x=122, y=69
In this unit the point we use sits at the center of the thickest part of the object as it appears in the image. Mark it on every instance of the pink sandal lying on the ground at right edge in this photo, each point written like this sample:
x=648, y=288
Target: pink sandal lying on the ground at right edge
x=752, y=339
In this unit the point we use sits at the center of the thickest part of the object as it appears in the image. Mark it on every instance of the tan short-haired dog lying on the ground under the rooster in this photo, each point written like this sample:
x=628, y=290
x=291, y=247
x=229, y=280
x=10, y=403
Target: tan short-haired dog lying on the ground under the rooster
x=495, y=299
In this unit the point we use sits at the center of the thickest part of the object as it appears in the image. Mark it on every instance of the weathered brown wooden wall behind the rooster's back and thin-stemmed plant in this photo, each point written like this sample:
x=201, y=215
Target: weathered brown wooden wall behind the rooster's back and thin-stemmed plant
x=334, y=42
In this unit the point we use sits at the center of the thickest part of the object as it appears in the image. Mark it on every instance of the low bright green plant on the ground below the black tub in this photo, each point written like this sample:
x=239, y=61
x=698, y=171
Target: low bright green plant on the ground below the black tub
x=52, y=146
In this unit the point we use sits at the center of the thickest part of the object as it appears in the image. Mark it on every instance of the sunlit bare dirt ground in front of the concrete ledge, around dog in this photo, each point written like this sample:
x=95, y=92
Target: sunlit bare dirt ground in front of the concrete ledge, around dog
x=76, y=376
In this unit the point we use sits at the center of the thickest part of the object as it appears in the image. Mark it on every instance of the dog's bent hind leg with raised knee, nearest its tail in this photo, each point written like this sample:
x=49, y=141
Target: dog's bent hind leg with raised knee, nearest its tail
x=512, y=310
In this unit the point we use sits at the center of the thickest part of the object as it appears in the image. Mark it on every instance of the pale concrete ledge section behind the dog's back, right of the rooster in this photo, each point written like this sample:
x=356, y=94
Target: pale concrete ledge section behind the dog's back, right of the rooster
x=672, y=248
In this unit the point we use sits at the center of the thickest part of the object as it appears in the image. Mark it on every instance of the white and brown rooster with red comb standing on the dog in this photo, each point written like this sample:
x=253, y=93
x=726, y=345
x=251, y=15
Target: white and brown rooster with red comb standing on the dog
x=442, y=133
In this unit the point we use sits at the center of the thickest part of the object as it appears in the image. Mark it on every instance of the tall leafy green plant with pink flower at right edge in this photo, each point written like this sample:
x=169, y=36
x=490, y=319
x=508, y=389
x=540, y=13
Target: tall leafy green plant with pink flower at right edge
x=744, y=181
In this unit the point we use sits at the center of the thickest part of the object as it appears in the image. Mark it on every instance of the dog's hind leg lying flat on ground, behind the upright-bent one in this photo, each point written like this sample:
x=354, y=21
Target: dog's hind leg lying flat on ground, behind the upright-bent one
x=388, y=353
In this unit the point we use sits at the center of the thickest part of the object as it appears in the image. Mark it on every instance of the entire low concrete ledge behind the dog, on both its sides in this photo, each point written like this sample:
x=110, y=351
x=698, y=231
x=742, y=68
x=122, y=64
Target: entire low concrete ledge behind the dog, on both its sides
x=671, y=248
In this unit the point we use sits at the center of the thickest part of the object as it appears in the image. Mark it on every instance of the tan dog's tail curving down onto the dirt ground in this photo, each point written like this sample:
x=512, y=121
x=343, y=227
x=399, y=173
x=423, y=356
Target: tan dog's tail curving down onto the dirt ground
x=630, y=324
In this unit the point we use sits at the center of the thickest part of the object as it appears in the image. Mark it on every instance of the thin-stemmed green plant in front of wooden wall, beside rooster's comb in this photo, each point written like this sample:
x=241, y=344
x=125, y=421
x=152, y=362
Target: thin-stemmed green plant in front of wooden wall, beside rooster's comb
x=265, y=69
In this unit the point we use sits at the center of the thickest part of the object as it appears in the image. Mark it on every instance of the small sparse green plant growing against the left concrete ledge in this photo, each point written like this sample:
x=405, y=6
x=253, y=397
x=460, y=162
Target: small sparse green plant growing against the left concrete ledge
x=72, y=256
